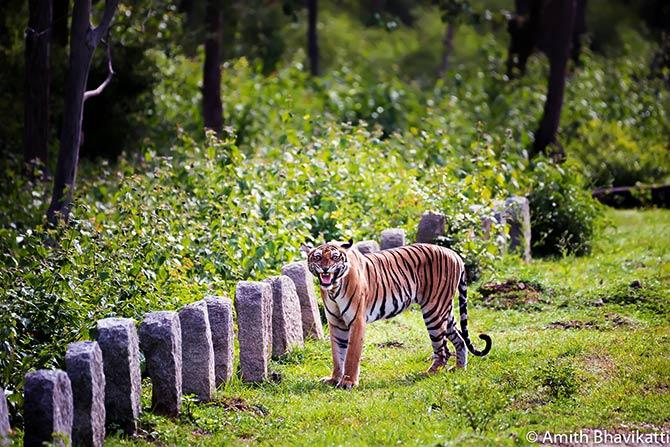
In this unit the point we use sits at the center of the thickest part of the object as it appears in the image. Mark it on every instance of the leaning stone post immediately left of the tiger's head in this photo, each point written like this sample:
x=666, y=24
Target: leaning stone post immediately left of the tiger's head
x=309, y=308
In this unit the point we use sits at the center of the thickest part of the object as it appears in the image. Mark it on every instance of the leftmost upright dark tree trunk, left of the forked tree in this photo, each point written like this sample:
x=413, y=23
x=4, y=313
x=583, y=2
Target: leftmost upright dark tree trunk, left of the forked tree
x=37, y=52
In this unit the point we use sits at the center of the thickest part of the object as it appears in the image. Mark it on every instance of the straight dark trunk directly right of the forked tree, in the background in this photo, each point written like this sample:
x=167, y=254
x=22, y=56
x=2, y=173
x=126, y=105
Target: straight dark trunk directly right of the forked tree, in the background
x=211, y=85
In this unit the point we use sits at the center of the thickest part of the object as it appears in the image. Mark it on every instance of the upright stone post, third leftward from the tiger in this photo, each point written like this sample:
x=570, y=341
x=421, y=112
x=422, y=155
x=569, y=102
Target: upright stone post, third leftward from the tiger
x=253, y=304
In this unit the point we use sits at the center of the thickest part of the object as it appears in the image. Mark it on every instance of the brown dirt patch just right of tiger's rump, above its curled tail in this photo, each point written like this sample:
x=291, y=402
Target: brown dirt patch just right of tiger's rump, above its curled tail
x=511, y=294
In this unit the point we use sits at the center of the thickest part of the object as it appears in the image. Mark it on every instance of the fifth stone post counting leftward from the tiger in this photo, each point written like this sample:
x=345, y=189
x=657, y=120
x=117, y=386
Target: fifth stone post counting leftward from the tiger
x=197, y=351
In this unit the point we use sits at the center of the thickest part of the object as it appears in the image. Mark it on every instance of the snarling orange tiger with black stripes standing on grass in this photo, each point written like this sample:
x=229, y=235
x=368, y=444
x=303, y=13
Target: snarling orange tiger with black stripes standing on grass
x=361, y=288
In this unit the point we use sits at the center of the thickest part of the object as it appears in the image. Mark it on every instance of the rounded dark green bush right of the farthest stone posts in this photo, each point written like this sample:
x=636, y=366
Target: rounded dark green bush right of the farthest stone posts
x=564, y=216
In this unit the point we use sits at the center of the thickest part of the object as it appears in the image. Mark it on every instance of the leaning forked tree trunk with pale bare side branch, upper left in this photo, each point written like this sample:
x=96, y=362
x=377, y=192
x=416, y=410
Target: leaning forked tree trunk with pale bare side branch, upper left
x=84, y=40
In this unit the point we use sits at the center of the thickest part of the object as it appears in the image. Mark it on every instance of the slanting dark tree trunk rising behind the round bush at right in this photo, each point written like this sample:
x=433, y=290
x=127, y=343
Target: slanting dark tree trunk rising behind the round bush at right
x=558, y=60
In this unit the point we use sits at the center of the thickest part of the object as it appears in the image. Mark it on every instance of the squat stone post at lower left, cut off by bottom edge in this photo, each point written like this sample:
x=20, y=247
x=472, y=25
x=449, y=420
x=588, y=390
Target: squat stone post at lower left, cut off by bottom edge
x=47, y=408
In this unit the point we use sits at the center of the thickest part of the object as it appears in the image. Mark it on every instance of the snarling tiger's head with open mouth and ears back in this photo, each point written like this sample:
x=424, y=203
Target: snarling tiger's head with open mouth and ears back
x=328, y=262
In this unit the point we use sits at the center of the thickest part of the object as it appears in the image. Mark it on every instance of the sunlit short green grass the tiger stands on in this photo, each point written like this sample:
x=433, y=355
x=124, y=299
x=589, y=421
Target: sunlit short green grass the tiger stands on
x=594, y=352
